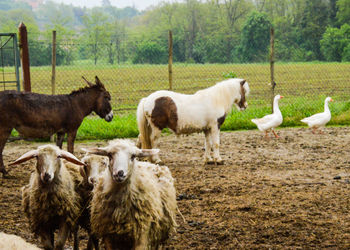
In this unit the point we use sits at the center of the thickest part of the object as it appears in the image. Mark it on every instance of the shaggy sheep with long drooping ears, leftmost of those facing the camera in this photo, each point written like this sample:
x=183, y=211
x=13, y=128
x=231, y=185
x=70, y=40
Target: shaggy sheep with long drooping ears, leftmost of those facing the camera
x=49, y=200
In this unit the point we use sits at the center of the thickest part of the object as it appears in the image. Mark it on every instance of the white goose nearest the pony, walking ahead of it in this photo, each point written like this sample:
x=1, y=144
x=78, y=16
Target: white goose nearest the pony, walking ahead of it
x=269, y=122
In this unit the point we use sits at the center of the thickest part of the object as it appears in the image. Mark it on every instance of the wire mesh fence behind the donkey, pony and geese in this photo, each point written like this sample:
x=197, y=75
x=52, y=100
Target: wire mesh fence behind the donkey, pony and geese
x=132, y=69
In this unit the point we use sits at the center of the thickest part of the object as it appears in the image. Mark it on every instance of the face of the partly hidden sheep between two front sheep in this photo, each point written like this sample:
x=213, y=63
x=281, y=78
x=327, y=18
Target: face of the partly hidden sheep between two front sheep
x=94, y=165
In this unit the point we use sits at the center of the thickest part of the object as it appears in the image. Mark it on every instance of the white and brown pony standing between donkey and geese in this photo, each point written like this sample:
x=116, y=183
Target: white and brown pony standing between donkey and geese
x=205, y=111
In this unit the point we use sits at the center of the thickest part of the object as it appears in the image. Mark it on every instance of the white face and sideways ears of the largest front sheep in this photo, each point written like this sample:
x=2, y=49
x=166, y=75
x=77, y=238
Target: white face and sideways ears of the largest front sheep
x=122, y=154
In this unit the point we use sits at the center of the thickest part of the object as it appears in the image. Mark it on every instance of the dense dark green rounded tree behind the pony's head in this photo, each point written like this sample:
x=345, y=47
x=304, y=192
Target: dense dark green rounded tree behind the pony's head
x=255, y=38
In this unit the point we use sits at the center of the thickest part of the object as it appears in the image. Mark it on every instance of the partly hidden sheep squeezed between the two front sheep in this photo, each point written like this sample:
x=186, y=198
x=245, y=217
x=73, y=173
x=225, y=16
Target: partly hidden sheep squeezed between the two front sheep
x=84, y=182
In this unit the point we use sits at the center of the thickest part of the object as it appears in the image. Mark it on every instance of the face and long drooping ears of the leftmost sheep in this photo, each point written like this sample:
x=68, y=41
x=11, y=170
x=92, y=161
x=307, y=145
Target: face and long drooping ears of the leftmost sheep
x=48, y=161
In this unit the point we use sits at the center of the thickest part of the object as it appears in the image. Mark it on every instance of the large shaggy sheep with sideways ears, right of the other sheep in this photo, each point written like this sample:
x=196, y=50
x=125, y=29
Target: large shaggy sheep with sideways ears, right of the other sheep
x=134, y=203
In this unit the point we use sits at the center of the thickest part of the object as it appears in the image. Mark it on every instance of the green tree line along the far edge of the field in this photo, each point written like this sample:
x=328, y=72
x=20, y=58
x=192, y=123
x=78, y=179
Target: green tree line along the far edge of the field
x=207, y=31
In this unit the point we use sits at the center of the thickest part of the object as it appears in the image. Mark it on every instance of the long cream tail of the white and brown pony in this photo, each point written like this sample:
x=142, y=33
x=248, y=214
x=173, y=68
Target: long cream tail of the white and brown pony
x=145, y=130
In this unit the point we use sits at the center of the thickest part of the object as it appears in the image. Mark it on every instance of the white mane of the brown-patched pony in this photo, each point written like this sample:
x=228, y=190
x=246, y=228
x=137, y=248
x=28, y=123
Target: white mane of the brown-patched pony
x=224, y=93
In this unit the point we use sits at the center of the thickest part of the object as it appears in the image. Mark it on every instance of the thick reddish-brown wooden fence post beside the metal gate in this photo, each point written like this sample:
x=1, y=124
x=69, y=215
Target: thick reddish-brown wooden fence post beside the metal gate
x=24, y=52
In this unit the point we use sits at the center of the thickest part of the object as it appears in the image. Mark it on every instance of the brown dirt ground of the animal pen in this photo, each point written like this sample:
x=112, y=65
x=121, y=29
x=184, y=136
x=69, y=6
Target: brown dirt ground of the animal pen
x=288, y=193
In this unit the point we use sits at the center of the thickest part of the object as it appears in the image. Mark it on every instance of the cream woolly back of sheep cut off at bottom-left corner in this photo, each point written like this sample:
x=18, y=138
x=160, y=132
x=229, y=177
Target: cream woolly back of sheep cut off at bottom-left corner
x=14, y=242
